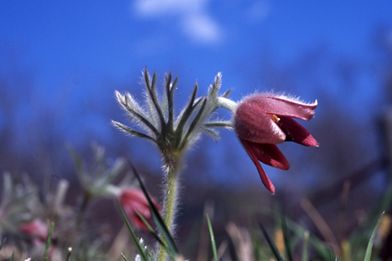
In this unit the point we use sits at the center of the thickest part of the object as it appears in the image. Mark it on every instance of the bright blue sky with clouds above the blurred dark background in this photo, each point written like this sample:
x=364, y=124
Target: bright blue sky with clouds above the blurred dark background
x=195, y=38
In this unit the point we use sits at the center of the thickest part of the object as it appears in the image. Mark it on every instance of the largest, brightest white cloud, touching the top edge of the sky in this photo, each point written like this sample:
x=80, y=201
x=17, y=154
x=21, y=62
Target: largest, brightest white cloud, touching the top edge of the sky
x=192, y=16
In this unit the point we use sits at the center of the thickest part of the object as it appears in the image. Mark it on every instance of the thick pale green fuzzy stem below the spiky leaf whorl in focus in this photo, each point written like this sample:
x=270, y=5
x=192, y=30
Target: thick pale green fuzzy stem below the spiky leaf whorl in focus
x=170, y=198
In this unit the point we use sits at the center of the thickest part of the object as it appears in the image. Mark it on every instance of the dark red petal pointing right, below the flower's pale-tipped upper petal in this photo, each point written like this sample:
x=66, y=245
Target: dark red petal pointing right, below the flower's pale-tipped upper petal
x=296, y=132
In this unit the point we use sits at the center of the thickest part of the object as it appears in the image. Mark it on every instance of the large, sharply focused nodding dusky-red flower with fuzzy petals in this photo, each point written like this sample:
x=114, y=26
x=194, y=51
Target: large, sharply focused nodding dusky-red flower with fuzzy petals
x=263, y=120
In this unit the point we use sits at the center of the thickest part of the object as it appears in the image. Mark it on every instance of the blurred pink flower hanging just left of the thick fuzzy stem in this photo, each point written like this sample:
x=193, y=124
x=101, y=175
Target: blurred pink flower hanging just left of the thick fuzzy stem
x=133, y=201
